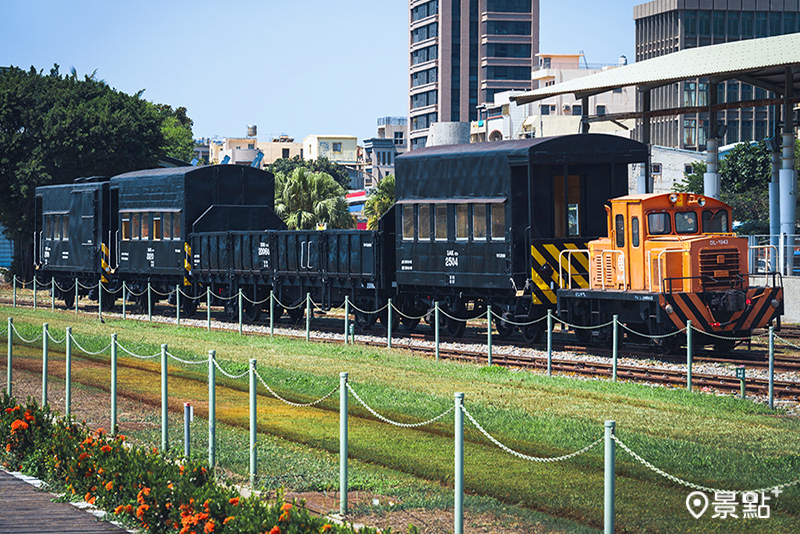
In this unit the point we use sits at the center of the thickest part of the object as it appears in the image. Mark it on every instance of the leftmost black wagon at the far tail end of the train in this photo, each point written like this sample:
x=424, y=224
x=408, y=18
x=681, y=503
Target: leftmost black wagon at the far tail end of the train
x=73, y=236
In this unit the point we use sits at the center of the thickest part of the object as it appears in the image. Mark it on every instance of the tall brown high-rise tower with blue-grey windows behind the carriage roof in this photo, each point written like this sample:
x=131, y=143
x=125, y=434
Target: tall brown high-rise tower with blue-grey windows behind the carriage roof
x=462, y=52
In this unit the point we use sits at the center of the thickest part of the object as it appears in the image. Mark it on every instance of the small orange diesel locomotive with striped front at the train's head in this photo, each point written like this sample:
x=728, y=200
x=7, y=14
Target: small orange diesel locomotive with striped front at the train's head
x=670, y=258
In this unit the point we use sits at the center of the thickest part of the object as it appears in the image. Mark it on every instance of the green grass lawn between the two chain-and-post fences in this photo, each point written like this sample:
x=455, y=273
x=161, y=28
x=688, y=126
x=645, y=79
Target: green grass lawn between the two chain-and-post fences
x=720, y=442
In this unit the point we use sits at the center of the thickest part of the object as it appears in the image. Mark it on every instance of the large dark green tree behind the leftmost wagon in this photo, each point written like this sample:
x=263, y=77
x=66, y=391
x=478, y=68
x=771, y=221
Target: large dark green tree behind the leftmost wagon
x=55, y=128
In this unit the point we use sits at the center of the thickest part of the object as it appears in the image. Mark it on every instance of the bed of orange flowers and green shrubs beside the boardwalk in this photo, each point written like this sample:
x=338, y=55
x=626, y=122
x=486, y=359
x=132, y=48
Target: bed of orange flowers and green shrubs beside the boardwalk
x=143, y=488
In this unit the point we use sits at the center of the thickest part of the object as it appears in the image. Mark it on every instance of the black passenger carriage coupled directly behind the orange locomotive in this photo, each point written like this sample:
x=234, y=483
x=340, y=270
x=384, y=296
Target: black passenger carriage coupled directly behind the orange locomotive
x=470, y=219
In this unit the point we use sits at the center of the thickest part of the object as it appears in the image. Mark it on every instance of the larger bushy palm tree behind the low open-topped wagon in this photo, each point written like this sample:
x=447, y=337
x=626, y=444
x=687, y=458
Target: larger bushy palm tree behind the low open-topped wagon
x=304, y=198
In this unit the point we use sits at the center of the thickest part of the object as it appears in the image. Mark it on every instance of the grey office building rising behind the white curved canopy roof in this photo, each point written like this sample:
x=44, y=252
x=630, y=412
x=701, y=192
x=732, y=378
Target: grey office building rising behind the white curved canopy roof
x=665, y=26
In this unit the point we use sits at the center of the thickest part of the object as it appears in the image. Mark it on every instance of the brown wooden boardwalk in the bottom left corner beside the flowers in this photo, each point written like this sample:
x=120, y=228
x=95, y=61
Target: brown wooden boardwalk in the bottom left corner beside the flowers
x=26, y=510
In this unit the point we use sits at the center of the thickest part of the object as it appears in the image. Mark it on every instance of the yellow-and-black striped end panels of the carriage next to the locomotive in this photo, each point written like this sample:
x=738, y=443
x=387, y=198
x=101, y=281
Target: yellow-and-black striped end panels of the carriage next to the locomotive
x=544, y=268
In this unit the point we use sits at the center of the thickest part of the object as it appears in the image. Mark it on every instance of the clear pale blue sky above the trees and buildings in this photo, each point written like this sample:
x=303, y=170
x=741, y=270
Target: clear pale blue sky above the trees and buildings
x=296, y=67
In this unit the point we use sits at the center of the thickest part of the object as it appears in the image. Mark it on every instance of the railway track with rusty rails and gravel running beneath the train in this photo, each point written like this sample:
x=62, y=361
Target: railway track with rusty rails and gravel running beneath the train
x=326, y=326
